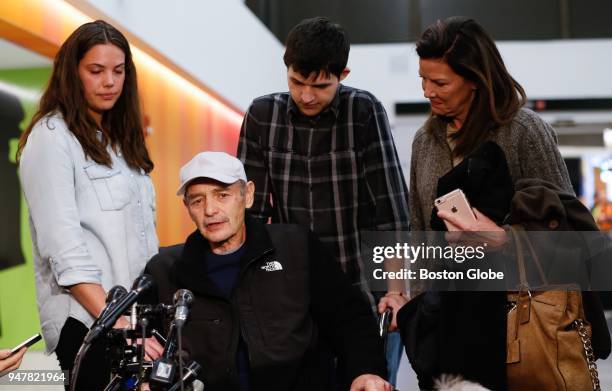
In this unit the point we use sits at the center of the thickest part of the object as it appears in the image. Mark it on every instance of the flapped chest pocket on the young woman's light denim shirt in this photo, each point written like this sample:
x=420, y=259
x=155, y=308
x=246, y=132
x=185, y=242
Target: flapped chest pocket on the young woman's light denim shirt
x=111, y=188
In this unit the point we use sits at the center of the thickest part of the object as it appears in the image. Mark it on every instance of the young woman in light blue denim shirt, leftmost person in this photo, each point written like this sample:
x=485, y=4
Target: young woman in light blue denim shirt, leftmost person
x=85, y=174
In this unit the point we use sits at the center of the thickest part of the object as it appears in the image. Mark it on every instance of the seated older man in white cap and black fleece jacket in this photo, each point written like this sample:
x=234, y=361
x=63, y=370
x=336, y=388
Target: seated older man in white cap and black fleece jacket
x=266, y=296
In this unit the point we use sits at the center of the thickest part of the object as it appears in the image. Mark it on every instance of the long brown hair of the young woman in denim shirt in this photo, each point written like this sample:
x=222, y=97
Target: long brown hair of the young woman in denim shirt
x=122, y=125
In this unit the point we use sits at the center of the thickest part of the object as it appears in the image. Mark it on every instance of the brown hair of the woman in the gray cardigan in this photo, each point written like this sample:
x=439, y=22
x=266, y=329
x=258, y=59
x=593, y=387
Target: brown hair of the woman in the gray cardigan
x=471, y=53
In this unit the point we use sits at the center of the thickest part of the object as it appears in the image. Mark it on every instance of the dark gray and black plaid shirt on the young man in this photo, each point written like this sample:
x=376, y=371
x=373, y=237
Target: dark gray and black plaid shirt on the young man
x=337, y=173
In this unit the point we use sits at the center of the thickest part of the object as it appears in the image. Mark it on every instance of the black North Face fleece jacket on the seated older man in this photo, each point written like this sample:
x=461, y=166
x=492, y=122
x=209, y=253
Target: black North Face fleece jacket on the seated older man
x=291, y=304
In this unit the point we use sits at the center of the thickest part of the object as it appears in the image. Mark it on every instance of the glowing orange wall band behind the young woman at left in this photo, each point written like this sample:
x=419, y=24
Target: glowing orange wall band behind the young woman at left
x=184, y=118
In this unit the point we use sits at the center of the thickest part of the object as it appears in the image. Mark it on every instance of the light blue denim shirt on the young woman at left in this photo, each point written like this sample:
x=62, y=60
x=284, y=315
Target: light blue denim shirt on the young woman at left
x=90, y=223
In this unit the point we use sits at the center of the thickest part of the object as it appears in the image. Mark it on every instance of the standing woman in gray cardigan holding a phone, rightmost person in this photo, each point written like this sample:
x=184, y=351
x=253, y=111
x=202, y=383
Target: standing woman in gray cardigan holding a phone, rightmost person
x=476, y=106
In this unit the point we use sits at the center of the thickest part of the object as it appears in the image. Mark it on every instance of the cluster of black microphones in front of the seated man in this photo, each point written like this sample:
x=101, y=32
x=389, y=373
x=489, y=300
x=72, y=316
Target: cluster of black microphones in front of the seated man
x=129, y=368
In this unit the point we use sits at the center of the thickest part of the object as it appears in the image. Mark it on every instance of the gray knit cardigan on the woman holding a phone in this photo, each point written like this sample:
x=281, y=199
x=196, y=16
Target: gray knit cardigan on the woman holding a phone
x=529, y=143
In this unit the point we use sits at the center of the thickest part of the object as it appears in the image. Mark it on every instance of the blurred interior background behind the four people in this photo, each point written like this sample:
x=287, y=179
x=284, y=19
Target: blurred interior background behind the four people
x=201, y=62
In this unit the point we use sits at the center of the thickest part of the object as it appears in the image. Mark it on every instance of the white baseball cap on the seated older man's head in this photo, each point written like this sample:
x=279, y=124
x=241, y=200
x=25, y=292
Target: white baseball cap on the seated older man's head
x=219, y=166
